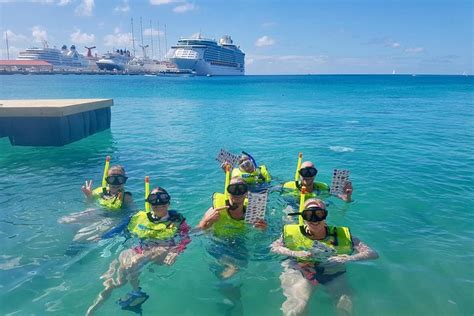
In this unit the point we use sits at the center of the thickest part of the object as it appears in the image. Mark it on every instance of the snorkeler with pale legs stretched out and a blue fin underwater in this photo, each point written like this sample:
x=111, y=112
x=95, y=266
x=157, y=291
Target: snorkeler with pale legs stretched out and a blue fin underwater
x=163, y=235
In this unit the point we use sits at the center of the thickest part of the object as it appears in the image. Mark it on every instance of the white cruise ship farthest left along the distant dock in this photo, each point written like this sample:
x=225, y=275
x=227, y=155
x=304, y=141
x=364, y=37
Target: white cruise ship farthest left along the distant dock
x=64, y=58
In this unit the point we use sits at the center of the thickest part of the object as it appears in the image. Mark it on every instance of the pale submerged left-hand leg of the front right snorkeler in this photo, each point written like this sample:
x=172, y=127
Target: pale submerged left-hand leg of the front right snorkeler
x=296, y=289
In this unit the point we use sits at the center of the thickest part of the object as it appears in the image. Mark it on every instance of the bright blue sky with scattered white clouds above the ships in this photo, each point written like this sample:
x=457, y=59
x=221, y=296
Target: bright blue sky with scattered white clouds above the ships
x=278, y=37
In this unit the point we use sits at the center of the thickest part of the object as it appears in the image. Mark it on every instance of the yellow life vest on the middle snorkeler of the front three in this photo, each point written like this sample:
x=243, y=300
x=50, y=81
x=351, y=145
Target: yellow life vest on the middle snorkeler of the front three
x=226, y=226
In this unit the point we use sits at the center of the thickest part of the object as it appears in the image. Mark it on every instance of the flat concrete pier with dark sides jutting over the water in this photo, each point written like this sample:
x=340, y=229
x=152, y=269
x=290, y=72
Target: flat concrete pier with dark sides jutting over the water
x=53, y=122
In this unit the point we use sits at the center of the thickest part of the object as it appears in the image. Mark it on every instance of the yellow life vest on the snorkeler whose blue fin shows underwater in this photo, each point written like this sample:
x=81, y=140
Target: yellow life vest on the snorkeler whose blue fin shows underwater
x=142, y=226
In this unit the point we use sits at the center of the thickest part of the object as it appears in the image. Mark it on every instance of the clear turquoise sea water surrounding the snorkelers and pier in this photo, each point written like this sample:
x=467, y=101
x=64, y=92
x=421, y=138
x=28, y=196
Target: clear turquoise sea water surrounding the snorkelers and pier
x=408, y=142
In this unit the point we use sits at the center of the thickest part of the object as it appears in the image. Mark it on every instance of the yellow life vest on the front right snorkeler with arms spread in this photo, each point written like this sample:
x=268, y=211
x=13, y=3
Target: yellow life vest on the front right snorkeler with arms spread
x=338, y=238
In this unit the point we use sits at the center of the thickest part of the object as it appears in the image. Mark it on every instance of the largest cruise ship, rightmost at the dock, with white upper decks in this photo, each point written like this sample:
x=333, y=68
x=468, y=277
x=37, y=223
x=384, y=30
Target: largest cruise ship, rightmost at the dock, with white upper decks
x=203, y=57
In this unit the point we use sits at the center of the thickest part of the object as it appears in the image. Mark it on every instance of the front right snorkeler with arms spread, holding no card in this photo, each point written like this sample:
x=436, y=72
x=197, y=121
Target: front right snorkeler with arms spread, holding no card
x=316, y=255
